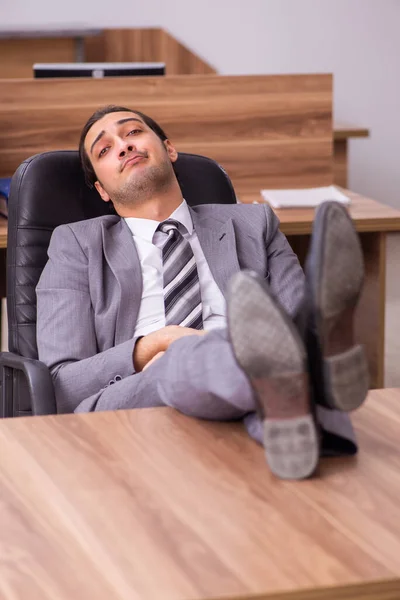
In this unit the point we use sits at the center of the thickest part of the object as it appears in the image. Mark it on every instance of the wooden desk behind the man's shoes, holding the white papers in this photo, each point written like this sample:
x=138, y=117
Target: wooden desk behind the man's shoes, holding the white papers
x=373, y=221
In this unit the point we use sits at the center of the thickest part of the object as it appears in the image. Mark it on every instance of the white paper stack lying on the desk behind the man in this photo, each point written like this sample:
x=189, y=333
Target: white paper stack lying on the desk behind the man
x=307, y=198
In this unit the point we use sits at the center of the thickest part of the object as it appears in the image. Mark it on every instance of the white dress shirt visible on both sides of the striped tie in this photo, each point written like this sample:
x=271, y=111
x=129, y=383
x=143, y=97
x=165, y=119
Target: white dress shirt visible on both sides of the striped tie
x=152, y=313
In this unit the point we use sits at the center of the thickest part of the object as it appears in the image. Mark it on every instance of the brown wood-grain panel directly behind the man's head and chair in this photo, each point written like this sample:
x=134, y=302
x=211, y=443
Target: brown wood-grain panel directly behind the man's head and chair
x=267, y=131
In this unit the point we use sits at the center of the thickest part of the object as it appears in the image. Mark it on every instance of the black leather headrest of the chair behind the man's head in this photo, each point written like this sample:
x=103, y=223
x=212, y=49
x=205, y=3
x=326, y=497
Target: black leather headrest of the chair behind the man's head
x=49, y=189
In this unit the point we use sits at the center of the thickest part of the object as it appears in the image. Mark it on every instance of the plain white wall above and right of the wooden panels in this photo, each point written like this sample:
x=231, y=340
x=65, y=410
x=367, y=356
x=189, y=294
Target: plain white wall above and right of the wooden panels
x=357, y=40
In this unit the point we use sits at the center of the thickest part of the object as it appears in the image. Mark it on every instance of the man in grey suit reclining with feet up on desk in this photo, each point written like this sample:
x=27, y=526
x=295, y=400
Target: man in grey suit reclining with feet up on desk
x=204, y=309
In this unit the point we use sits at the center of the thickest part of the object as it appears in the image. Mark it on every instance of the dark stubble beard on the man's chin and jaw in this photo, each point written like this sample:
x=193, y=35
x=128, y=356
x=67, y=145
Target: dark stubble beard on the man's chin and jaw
x=141, y=187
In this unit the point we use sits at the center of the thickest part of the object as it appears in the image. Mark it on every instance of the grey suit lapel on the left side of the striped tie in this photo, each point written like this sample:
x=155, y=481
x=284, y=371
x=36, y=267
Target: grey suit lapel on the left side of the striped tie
x=122, y=257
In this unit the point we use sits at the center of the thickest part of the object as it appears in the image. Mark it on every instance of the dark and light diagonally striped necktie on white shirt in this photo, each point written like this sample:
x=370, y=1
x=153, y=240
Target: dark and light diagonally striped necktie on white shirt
x=182, y=297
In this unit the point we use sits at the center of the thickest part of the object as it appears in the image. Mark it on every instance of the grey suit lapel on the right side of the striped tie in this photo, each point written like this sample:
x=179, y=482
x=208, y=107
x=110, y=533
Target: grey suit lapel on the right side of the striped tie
x=217, y=240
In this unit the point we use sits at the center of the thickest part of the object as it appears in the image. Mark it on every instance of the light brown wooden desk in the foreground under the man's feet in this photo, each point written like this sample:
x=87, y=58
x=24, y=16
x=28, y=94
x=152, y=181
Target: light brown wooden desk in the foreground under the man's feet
x=151, y=504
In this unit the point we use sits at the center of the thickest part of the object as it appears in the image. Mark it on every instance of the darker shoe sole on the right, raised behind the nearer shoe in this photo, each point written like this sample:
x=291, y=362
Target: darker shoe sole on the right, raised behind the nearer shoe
x=335, y=274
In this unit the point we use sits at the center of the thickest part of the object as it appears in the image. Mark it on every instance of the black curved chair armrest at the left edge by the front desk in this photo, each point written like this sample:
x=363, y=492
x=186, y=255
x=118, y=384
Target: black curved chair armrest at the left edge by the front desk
x=38, y=378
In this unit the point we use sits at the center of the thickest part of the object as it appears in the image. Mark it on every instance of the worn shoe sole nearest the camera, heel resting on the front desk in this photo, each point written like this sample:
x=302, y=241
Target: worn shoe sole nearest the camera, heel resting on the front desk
x=270, y=352
